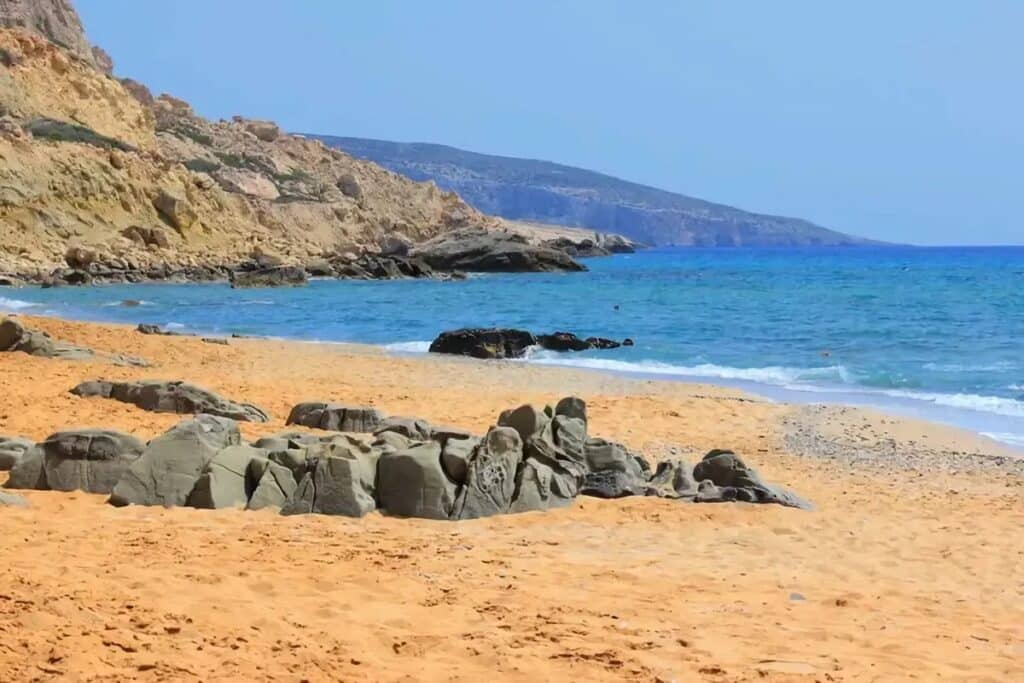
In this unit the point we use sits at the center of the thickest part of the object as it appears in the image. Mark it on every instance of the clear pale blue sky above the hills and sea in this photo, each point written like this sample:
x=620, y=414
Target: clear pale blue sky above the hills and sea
x=901, y=121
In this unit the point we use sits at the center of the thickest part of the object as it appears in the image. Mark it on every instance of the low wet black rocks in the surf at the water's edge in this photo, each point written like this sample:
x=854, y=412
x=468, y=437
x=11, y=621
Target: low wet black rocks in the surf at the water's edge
x=510, y=344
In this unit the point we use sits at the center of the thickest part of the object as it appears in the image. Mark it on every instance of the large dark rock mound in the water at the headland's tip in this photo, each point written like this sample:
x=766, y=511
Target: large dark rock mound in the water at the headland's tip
x=492, y=251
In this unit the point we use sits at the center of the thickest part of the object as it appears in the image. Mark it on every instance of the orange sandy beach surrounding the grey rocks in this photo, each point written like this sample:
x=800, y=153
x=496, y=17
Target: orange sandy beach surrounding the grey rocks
x=911, y=566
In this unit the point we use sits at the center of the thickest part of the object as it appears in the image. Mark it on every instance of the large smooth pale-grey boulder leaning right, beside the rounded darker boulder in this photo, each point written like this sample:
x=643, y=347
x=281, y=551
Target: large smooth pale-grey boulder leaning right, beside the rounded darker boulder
x=170, y=466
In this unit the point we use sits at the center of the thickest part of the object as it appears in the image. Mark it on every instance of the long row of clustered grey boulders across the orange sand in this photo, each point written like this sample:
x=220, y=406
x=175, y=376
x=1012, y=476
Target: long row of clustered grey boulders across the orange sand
x=531, y=460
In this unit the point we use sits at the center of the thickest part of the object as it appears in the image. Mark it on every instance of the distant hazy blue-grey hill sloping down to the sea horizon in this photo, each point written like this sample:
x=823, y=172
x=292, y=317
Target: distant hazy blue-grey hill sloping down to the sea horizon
x=544, y=192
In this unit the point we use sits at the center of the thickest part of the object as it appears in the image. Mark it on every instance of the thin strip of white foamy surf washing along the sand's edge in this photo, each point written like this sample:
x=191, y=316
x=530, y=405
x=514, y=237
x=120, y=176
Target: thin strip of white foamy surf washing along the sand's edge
x=1003, y=431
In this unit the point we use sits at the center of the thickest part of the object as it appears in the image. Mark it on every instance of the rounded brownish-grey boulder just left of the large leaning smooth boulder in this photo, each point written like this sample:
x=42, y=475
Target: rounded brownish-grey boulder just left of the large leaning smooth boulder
x=90, y=460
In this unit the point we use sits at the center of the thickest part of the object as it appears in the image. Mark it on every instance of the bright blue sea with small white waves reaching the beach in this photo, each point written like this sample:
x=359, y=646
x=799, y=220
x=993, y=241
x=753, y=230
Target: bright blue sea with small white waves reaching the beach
x=933, y=333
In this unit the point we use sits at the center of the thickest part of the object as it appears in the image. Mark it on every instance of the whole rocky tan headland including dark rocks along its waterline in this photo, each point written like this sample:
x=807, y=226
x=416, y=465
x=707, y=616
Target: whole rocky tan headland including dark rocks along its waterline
x=104, y=182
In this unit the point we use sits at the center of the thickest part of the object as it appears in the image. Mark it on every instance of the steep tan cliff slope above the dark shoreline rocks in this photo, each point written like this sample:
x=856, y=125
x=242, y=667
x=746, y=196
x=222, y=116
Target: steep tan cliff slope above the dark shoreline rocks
x=86, y=157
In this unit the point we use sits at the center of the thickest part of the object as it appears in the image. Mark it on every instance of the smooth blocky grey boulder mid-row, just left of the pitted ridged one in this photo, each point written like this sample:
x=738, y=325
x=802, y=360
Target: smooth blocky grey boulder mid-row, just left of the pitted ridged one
x=413, y=484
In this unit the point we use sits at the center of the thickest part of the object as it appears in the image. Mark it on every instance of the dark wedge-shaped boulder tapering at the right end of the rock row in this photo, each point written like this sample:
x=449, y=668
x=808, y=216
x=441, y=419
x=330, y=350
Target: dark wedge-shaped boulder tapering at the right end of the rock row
x=724, y=478
